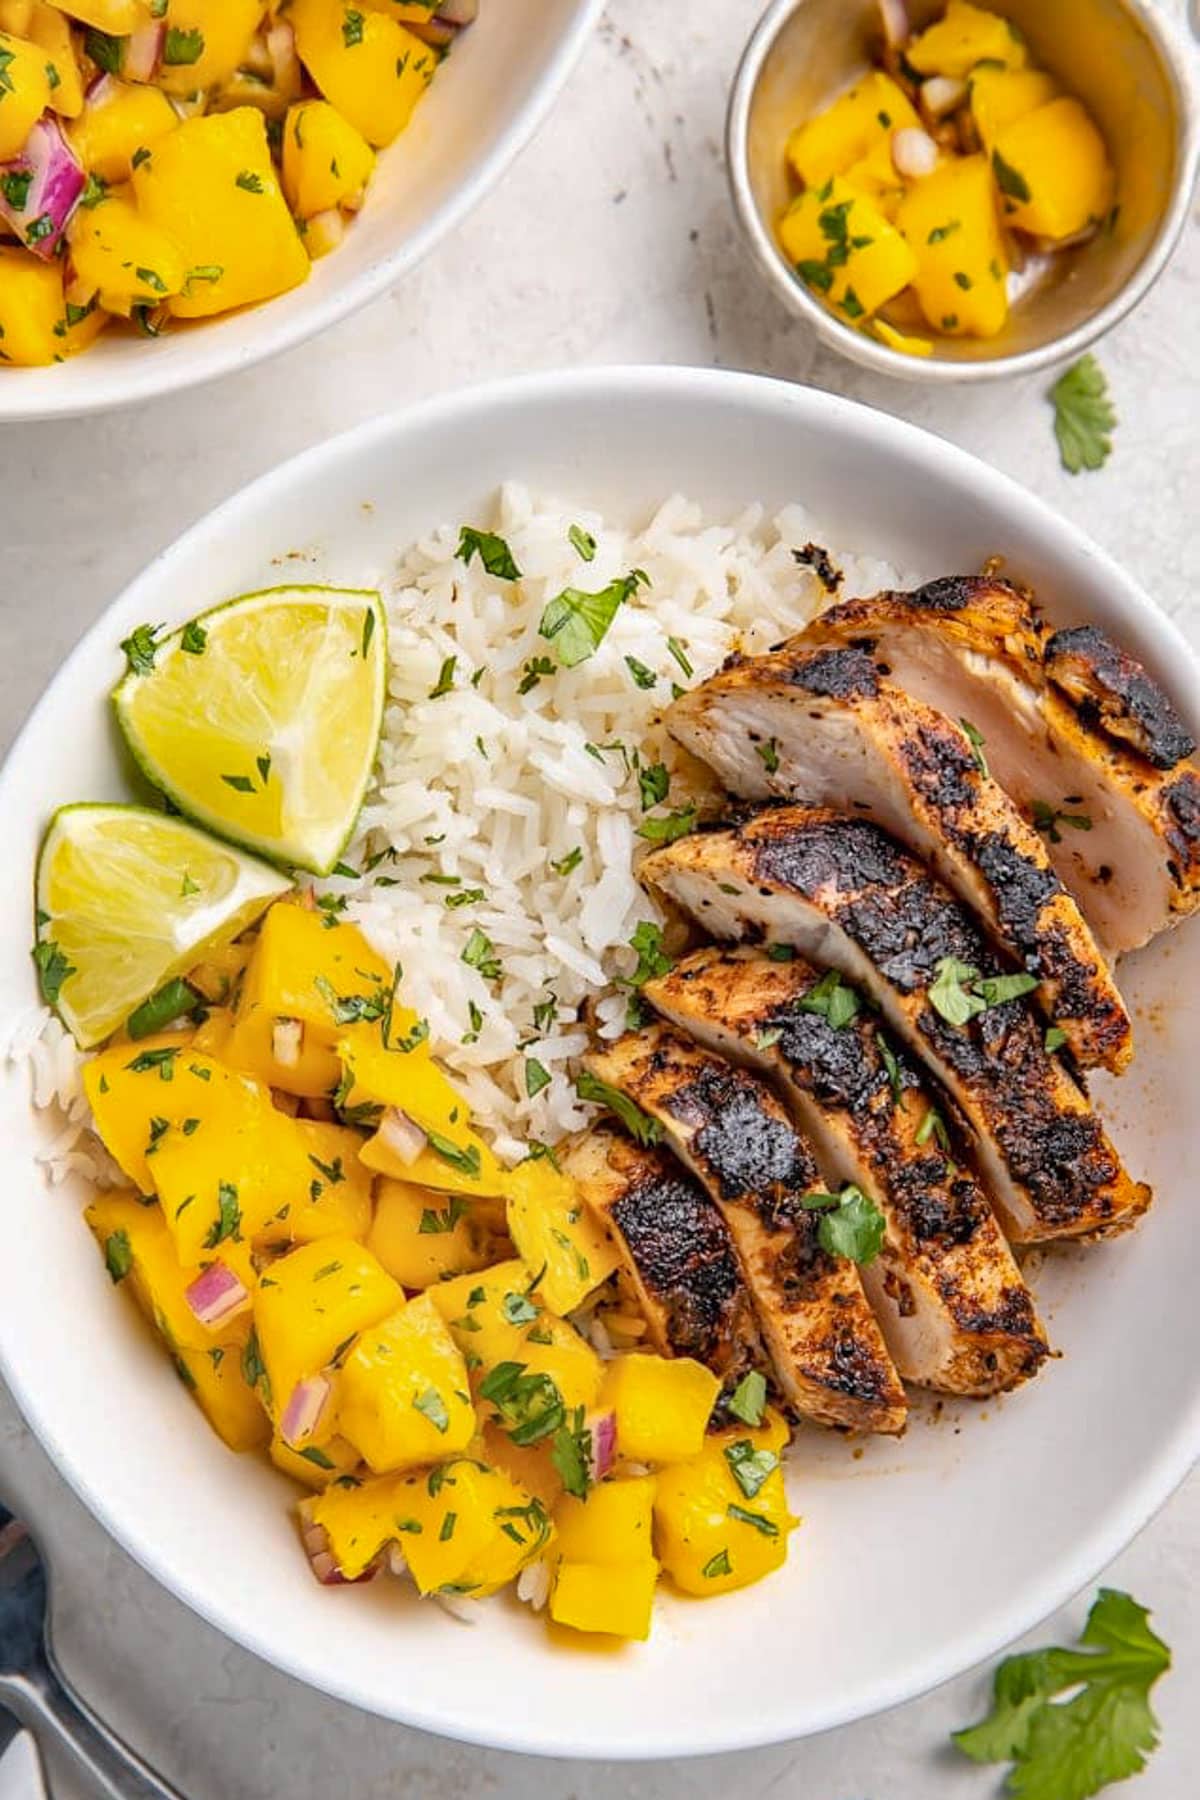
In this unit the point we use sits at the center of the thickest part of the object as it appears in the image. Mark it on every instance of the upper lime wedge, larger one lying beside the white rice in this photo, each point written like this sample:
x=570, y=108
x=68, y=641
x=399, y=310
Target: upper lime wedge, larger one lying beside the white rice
x=262, y=719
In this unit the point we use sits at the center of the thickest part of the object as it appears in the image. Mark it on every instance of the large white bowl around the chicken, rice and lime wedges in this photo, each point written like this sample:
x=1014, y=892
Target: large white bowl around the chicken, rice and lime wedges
x=915, y=1560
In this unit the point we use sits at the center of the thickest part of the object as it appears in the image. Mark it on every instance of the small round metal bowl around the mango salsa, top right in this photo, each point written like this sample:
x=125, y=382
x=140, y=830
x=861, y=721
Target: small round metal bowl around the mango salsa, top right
x=1118, y=57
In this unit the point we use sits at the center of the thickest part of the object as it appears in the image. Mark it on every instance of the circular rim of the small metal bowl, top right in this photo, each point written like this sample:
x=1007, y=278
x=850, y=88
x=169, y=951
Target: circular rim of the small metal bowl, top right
x=1179, y=67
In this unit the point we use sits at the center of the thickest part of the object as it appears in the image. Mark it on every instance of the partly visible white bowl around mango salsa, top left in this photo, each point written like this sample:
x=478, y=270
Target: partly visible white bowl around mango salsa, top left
x=485, y=105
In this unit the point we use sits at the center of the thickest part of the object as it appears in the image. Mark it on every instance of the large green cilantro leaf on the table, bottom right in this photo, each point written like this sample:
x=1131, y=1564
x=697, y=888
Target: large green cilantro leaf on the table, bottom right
x=1071, y=1750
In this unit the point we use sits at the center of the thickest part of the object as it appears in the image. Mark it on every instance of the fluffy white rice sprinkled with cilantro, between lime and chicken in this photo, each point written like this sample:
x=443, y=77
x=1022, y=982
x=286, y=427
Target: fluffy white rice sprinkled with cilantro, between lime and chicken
x=488, y=789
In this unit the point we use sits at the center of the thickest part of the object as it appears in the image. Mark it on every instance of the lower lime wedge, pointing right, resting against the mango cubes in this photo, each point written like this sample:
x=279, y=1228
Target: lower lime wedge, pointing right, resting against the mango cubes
x=127, y=901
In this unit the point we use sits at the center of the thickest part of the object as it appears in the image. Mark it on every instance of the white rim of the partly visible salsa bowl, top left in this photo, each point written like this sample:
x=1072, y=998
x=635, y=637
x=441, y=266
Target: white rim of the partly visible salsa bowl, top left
x=211, y=363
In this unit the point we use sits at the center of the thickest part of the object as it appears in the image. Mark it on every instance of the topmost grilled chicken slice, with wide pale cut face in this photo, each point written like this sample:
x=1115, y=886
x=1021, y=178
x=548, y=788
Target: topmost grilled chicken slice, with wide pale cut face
x=1122, y=834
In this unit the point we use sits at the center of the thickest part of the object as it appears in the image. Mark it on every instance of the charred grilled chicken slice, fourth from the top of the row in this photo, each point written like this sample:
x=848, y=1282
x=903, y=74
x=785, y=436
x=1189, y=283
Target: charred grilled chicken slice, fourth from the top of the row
x=945, y=1288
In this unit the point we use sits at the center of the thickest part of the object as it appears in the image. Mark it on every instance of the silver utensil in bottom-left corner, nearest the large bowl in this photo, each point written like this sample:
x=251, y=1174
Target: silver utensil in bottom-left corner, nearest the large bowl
x=33, y=1689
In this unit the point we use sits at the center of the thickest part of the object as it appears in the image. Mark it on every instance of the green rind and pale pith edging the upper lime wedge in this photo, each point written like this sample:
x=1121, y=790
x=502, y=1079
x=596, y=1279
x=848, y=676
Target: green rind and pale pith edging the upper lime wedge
x=314, y=852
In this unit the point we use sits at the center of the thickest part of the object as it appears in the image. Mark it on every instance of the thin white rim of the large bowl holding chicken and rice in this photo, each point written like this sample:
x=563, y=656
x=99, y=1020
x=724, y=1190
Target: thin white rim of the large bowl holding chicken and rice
x=942, y=460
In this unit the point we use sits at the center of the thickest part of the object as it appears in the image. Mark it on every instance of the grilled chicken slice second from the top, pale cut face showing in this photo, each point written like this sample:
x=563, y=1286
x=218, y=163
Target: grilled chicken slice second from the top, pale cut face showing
x=823, y=726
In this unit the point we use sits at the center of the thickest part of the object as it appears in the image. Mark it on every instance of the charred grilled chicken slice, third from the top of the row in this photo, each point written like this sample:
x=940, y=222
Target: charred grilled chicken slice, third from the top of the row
x=846, y=895
